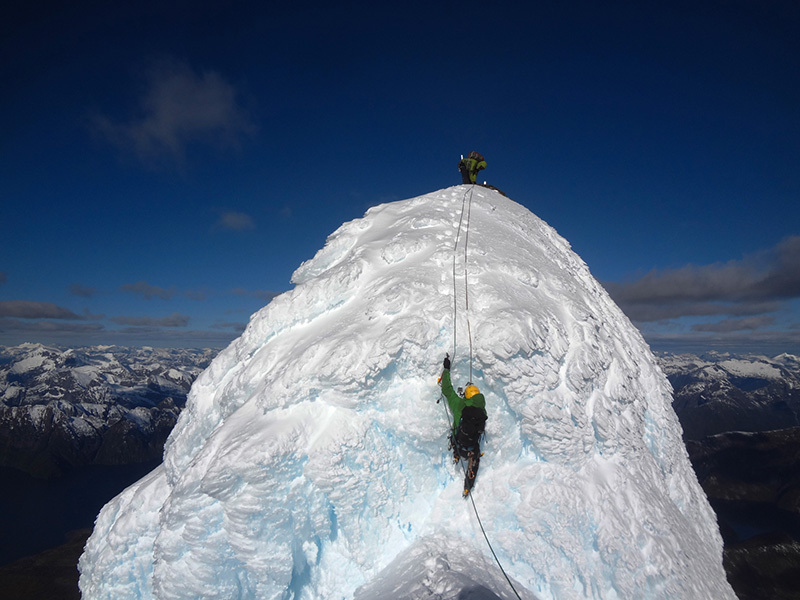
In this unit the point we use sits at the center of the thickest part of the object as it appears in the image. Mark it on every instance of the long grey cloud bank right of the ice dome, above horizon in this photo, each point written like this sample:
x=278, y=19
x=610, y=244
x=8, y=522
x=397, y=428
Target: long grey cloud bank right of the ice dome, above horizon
x=754, y=285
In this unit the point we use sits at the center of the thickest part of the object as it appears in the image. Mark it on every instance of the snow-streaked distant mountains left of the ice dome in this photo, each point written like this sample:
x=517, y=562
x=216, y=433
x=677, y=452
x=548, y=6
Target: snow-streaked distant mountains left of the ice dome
x=104, y=405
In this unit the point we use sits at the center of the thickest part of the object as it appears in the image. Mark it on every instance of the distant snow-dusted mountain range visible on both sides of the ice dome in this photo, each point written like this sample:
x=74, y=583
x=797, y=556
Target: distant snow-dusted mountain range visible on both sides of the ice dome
x=63, y=408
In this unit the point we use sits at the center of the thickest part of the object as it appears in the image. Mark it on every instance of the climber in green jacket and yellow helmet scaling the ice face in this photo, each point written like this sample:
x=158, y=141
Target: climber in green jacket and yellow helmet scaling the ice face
x=469, y=420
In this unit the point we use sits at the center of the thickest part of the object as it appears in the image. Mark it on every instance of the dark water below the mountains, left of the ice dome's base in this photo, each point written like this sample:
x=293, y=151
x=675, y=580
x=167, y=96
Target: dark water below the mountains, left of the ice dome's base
x=37, y=514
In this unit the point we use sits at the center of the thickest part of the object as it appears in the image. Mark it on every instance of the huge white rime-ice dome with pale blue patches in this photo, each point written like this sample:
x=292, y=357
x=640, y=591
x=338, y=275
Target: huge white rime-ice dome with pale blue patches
x=311, y=459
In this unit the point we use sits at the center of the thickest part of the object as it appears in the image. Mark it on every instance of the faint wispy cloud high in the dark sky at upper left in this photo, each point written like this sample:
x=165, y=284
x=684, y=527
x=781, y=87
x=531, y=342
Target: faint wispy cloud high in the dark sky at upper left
x=180, y=106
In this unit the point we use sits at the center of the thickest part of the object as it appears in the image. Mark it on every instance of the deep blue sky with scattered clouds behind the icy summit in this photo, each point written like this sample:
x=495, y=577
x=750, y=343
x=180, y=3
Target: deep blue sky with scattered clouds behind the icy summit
x=163, y=170
